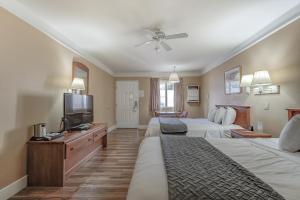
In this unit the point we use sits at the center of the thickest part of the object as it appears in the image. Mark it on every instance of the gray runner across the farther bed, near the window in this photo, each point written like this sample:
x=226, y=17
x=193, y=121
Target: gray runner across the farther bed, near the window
x=172, y=126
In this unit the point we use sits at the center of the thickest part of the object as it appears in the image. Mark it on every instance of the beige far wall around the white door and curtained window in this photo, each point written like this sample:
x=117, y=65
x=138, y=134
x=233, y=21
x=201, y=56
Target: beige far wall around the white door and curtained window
x=194, y=109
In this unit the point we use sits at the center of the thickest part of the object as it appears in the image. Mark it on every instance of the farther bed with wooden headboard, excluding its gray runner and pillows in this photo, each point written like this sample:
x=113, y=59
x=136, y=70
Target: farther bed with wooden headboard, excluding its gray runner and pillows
x=204, y=128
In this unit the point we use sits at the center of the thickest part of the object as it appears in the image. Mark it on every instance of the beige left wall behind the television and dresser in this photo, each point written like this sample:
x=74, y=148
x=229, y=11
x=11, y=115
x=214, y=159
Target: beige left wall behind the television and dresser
x=35, y=71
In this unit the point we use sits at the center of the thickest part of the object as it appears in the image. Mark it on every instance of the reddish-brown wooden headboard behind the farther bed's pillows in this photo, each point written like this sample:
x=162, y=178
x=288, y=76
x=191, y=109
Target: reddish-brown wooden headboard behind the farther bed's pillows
x=242, y=115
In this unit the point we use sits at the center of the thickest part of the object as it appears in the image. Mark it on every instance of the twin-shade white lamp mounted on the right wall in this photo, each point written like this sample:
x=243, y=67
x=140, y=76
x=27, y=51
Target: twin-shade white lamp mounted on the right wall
x=260, y=83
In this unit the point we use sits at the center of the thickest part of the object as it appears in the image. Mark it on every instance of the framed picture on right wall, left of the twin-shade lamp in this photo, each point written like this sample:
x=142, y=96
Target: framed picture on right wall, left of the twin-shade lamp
x=232, y=80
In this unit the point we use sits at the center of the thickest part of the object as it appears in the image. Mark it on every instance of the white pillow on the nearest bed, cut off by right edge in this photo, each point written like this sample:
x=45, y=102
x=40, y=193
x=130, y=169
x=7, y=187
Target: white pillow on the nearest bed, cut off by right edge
x=289, y=139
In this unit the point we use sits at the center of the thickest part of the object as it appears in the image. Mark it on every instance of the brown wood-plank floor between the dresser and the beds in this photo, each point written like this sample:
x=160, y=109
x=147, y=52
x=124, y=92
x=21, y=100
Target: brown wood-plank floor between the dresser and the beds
x=105, y=176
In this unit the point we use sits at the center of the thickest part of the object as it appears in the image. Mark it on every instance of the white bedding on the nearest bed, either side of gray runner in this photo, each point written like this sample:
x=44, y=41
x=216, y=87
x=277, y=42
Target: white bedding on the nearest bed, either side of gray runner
x=279, y=169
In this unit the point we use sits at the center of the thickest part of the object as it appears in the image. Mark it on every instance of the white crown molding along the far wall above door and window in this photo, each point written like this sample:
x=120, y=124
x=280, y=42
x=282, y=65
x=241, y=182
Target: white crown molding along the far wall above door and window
x=157, y=74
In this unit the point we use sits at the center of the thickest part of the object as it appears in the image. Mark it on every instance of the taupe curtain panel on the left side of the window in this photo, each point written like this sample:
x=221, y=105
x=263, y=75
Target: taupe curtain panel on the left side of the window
x=154, y=94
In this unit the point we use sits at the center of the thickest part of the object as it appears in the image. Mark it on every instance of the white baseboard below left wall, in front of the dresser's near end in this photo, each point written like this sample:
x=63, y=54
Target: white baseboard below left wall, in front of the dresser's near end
x=13, y=188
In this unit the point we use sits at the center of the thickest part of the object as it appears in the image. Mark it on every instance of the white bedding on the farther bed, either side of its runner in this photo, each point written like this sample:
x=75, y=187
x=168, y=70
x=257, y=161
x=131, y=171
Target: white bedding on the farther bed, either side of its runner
x=199, y=127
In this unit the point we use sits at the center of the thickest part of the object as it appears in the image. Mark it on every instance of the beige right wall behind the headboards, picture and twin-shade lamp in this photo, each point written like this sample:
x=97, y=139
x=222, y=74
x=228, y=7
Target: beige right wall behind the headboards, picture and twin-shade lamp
x=280, y=54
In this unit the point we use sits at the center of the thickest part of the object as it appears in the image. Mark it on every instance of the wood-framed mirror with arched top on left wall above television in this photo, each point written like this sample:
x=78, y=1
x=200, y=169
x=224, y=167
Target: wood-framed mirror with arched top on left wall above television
x=79, y=70
